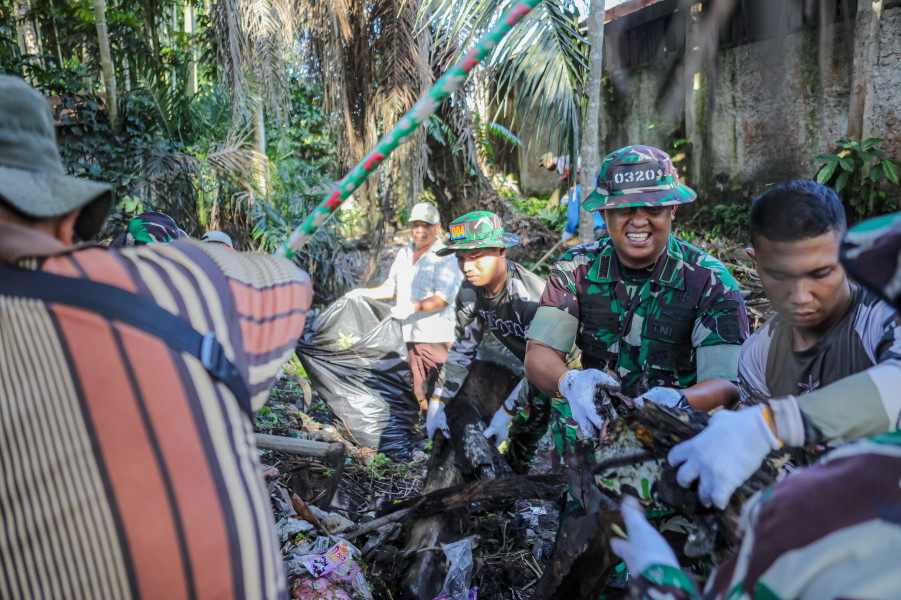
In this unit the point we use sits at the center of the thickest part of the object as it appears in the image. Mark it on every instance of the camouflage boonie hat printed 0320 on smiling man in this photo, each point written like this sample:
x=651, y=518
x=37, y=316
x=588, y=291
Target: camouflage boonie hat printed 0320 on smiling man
x=637, y=176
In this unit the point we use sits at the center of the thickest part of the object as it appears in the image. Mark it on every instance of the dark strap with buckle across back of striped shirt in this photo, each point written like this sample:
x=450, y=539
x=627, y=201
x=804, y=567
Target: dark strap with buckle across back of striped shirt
x=121, y=305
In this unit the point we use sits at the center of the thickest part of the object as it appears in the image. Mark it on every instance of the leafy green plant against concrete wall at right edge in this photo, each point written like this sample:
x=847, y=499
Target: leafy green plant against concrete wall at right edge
x=855, y=172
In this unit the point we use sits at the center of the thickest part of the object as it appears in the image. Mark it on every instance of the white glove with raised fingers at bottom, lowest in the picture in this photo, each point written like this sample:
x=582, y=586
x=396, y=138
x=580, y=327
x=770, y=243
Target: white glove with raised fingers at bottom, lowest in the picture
x=644, y=546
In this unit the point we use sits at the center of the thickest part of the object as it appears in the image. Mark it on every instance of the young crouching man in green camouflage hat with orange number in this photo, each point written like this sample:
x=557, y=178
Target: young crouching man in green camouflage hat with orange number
x=499, y=296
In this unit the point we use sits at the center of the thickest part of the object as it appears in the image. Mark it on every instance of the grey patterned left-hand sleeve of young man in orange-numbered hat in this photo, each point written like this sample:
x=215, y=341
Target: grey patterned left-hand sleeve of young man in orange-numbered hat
x=467, y=336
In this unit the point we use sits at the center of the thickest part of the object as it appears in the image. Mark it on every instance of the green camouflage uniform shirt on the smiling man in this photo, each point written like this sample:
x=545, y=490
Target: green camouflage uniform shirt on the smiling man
x=683, y=324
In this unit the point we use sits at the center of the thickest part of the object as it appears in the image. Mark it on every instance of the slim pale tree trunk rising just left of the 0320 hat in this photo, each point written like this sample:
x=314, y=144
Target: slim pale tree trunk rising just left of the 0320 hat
x=590, y=152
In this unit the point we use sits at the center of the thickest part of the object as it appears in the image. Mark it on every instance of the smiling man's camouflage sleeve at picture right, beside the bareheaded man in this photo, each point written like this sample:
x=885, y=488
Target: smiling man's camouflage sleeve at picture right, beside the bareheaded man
x=721, y=326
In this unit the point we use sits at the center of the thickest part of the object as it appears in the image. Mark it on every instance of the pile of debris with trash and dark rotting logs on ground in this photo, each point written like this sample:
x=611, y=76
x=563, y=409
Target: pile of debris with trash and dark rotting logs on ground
x=350, y=516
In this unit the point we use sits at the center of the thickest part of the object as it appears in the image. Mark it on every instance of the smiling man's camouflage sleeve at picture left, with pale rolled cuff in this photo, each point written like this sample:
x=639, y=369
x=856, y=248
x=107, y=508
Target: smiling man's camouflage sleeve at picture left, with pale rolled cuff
x=556, y=321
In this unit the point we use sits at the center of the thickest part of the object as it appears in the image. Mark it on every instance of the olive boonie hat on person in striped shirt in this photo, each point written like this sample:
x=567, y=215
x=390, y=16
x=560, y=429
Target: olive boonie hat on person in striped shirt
x=32, y=179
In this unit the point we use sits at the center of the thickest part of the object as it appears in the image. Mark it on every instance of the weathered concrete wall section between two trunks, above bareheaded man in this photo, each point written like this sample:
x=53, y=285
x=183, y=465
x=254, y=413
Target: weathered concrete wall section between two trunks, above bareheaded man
x=774, y=111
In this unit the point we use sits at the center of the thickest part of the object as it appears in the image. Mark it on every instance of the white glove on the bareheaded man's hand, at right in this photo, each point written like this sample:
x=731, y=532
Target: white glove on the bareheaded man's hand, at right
x=725, y=454
